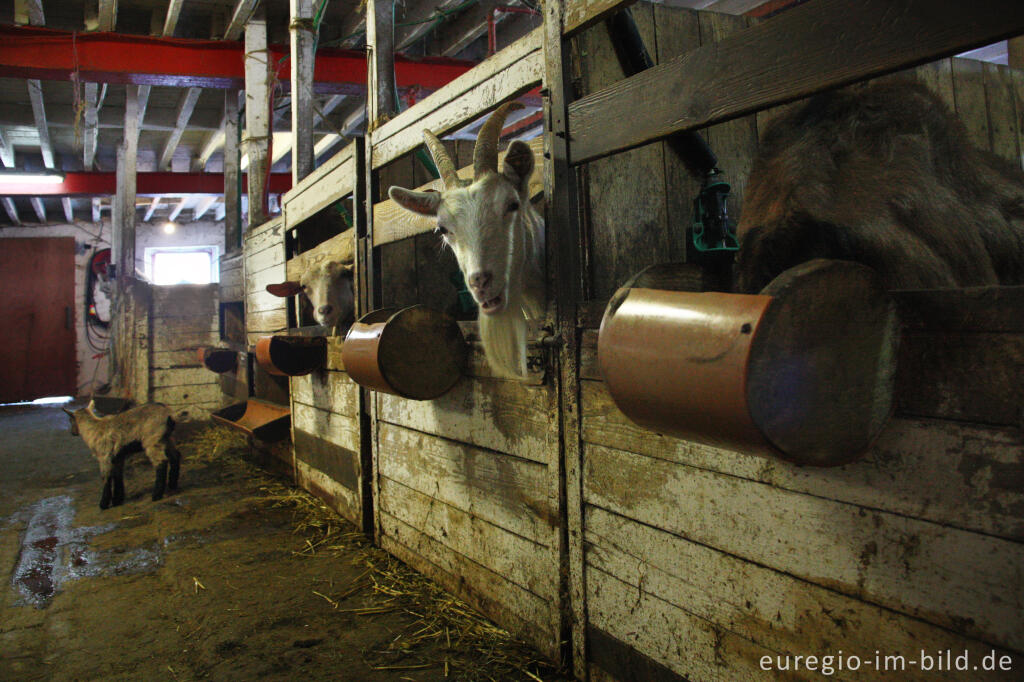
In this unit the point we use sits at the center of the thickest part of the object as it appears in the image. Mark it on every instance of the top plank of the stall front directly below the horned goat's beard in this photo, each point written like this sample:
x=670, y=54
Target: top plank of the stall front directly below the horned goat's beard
x=498, y=415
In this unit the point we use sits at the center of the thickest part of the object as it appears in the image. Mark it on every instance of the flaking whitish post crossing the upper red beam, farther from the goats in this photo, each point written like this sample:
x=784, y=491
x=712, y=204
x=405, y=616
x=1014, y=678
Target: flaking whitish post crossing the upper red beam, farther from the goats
x=258, y=114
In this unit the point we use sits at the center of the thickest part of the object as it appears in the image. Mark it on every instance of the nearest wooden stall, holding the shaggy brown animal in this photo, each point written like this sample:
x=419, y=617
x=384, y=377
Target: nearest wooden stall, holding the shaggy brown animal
x=688, y=562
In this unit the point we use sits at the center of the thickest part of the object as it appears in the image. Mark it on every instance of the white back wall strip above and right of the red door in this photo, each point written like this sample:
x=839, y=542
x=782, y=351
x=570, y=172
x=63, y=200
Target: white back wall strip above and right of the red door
x=93, y=373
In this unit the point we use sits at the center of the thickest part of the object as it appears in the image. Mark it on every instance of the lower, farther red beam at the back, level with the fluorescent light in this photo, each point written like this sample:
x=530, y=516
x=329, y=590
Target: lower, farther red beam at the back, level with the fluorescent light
x=93, y=184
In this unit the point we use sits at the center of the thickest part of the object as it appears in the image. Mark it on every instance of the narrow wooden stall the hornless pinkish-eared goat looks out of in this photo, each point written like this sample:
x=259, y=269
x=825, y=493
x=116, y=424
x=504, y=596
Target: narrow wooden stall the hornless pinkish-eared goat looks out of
x=320, y=215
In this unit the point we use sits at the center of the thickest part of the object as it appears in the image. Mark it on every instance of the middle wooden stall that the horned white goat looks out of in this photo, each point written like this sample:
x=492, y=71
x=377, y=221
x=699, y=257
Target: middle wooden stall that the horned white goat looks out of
x=467, y=486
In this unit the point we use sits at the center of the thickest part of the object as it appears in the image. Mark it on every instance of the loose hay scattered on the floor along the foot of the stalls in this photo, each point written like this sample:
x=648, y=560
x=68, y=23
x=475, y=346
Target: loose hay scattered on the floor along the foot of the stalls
x=445, y=633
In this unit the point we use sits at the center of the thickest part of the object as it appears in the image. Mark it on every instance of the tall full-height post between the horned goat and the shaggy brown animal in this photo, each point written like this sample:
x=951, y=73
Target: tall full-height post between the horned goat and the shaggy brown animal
x=565, y=257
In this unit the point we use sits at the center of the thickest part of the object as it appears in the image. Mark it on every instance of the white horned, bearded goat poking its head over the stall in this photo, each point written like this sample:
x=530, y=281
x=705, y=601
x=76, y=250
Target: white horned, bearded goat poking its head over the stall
x=496, y=235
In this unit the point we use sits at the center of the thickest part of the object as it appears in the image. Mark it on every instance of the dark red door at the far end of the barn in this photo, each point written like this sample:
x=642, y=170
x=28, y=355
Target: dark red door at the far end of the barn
x=37, y=319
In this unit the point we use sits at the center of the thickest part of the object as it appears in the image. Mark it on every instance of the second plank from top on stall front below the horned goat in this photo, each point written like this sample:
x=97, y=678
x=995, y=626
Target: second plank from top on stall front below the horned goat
x=504, y=491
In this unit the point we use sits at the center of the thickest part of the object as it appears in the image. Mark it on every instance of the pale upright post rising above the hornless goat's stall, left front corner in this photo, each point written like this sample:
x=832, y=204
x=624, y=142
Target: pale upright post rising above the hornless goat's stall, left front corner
x=303, y=92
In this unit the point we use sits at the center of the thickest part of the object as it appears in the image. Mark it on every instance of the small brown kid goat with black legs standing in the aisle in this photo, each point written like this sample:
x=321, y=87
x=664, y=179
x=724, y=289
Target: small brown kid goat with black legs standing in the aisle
x=146, y=429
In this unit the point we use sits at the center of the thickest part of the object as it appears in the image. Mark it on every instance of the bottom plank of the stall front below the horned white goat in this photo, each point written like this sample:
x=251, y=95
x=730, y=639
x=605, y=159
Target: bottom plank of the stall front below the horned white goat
x=506, y=604
